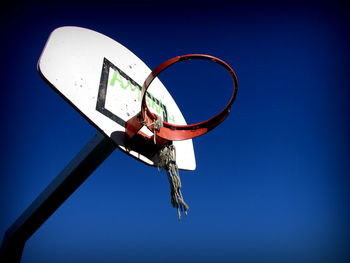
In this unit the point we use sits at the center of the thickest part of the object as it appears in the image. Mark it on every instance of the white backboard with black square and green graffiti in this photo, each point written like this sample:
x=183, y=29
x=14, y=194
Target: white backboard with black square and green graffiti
x=102, y=79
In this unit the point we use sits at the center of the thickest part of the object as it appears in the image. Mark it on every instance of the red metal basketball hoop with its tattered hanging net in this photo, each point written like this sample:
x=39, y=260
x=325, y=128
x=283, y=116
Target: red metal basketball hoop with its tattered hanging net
x=164, y=133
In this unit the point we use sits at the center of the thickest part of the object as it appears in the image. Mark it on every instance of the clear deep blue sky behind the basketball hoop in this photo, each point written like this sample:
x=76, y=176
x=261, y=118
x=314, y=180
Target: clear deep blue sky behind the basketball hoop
x=271, y=182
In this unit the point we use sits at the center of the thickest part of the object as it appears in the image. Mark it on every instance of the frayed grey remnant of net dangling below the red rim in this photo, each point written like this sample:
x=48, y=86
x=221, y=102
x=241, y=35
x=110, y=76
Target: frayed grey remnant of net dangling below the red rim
x=167, y=162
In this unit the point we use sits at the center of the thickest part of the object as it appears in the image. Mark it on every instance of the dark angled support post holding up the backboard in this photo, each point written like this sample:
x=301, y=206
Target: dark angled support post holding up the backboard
x=72, y=176
